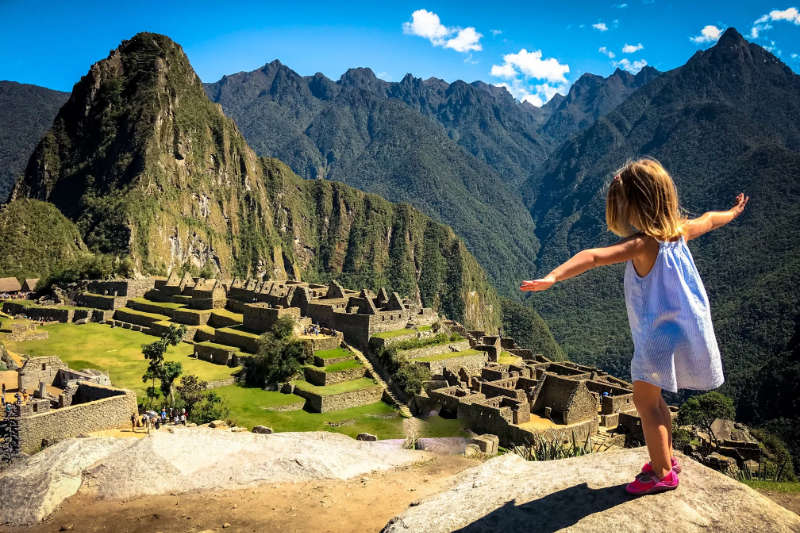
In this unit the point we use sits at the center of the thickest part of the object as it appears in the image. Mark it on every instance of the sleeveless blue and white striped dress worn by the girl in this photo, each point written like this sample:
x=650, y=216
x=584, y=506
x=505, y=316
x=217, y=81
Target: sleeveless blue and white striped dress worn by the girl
x=670, y=318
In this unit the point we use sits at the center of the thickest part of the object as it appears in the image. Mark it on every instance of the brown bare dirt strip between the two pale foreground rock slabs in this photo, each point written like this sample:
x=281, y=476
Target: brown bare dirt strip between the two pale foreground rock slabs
x=364, y=503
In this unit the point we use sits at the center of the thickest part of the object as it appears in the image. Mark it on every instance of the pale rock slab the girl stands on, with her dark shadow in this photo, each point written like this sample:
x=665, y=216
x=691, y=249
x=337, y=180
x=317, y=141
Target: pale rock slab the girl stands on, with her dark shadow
x=587, y=494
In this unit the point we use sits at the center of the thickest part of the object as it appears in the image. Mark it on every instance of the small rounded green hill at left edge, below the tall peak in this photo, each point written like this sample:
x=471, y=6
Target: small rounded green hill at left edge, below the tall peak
x=37, y=240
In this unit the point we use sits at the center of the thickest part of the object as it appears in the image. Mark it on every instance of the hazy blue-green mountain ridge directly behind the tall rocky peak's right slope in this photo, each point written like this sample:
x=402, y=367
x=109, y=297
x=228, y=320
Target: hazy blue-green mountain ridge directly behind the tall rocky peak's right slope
x=354, y=131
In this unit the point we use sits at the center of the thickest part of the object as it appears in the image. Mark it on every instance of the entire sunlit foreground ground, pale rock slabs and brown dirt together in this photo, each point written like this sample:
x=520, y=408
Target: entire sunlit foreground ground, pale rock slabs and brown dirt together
x=505, y=493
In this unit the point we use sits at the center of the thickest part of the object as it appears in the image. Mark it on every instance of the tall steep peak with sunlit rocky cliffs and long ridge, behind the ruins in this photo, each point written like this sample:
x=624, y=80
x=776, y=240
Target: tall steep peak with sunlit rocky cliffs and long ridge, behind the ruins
x=148, y=167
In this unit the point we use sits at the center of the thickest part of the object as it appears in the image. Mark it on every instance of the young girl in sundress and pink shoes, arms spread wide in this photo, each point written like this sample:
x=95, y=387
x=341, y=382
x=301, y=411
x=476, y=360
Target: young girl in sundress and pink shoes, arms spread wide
x=668, y=310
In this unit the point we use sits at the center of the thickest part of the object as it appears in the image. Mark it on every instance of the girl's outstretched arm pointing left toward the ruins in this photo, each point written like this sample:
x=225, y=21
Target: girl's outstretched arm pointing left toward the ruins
x=579, y=263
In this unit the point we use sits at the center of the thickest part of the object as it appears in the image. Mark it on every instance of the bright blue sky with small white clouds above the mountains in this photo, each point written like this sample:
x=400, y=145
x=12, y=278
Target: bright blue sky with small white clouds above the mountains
x=534, y=48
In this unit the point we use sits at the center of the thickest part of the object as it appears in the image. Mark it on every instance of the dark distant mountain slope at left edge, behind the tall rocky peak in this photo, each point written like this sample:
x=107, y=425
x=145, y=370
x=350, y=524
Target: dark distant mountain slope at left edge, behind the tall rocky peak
x=26, y=111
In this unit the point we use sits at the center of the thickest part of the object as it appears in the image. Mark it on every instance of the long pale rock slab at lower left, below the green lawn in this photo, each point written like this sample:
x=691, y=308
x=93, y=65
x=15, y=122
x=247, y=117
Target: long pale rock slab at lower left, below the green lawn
x=184, y=460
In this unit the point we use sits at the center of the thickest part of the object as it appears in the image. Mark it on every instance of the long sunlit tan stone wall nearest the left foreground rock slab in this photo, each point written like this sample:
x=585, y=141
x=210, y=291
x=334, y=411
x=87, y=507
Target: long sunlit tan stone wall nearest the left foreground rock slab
x=58, y=424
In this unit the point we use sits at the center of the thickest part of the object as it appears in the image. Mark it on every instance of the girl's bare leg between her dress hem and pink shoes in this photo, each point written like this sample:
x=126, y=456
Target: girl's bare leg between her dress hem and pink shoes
x=648, y=400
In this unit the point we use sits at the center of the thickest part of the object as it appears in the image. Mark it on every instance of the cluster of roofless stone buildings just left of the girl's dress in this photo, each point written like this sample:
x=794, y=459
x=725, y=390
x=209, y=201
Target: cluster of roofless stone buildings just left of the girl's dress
x=539, y=397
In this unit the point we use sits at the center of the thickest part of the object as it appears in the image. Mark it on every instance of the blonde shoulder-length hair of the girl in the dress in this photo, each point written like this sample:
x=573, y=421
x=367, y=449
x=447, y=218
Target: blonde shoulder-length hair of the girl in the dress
x=643, y=197
